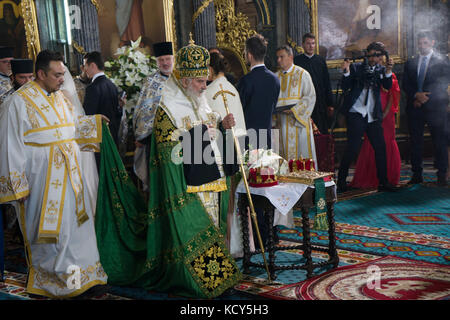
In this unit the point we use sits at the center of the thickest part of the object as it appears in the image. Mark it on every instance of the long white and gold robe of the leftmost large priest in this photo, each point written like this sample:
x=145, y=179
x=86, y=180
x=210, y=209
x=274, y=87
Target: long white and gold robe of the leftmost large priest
x=40, y=145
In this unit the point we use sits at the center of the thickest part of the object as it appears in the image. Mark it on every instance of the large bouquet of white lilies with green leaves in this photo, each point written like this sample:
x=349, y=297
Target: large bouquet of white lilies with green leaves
x=129, y=70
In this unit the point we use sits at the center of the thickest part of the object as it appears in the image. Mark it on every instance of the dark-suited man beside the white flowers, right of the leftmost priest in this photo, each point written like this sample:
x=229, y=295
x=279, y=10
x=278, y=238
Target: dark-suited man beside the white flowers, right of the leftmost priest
x=101, y=95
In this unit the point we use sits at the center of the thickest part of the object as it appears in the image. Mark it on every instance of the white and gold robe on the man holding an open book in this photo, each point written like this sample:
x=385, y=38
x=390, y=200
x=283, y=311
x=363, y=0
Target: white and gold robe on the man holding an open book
x=297, y=137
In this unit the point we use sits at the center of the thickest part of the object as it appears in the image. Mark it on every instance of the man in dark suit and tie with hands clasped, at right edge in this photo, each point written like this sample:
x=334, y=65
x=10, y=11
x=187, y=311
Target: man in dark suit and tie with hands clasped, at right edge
x=425, y=81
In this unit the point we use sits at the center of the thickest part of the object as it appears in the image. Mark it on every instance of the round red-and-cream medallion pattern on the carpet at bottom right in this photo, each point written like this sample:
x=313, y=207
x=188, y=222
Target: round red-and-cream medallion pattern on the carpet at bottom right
x=387, y=278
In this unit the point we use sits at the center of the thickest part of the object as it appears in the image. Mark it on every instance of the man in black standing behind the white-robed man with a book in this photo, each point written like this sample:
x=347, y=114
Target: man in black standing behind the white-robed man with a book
x=317, y=68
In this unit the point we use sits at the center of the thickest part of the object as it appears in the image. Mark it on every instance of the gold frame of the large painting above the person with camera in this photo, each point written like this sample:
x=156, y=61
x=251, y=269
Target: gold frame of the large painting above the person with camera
x=400, y=55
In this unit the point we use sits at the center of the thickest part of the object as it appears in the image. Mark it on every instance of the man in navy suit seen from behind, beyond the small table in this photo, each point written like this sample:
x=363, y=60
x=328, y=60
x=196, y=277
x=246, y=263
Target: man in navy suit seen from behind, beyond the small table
x=258, y=90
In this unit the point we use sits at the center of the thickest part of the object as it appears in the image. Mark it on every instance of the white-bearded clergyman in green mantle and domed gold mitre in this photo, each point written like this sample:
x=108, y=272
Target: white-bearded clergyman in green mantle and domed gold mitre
x=183, y=233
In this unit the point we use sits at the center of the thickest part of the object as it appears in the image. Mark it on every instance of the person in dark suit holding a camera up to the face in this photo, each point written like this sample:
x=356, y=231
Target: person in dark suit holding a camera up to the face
x=361, y=84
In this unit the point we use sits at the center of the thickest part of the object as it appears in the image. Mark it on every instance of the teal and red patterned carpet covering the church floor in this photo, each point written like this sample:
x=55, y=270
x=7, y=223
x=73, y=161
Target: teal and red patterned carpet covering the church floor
x=367, y=242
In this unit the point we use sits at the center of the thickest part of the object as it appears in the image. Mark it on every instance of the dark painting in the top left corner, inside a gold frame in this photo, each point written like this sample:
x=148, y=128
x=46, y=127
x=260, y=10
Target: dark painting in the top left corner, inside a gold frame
x=12, y=31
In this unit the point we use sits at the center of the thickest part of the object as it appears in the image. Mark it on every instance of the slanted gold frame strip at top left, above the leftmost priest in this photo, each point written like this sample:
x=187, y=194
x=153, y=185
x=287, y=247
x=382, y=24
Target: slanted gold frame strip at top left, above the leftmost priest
x=28, y=8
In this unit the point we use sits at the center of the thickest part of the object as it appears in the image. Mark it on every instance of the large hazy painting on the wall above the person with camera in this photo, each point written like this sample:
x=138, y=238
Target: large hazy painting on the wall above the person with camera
x=346, y=27
